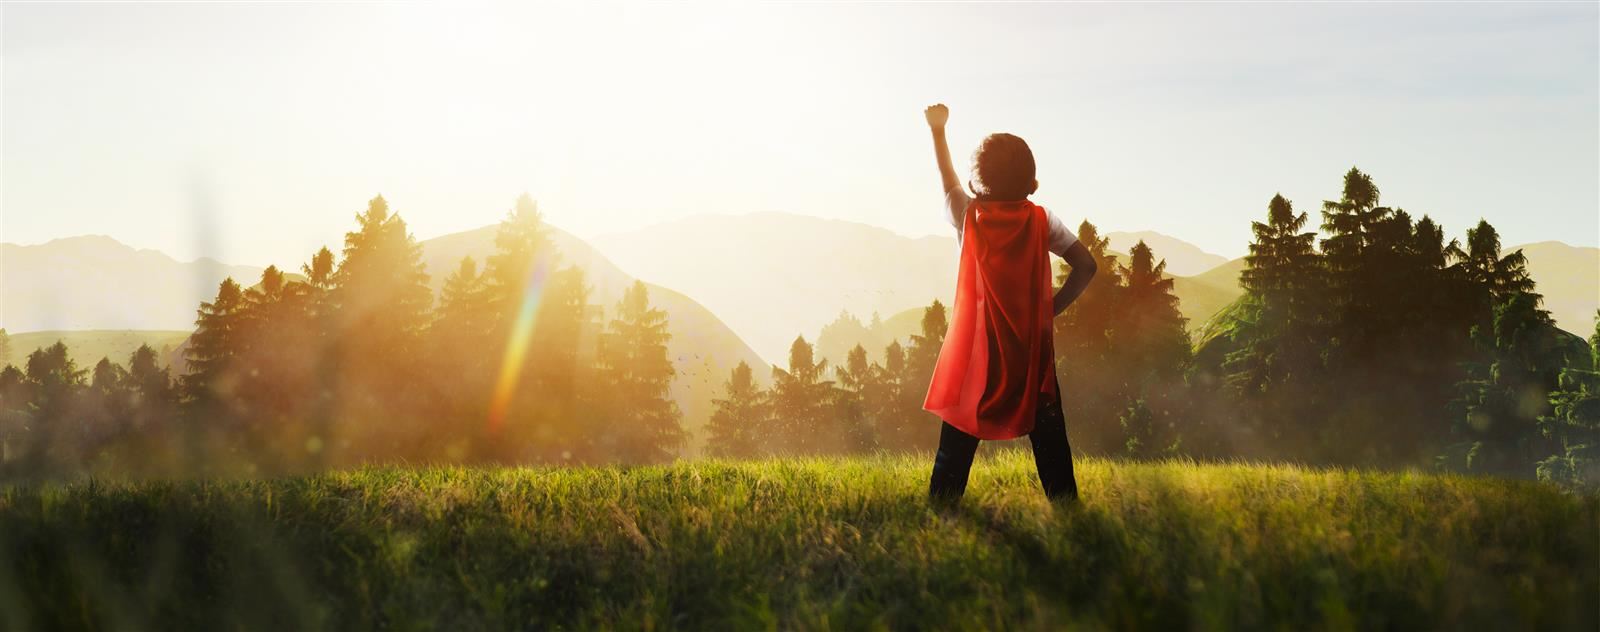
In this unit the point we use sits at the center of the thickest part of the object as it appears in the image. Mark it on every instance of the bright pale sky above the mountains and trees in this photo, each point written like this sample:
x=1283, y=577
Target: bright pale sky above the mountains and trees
x=254, y=134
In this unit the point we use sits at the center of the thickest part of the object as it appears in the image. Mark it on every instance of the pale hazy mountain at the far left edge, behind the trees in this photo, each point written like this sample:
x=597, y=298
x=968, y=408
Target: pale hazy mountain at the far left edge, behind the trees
x=95, y=282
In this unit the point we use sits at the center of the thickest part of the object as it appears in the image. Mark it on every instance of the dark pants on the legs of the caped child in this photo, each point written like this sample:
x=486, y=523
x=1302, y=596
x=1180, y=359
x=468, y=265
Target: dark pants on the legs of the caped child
x=1052, y=455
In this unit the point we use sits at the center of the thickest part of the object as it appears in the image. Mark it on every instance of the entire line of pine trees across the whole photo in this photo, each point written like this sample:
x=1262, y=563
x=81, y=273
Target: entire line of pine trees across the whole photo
x=1369, y=342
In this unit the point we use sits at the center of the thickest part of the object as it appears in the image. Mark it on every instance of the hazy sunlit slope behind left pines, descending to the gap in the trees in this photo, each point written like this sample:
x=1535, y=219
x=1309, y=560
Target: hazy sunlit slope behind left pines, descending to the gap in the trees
x=703, y=350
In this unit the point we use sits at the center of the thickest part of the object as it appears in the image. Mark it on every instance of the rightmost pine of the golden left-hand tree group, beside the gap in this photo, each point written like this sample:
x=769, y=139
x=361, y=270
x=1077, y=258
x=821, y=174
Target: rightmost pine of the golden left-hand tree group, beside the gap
x=642, y=422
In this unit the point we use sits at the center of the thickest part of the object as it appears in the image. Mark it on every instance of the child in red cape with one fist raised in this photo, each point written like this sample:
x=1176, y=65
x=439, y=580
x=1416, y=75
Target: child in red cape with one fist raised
x=996, y=377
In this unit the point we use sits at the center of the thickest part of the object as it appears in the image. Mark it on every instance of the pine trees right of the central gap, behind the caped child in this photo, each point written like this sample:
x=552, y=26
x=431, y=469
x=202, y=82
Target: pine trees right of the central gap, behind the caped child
x=1372, y=342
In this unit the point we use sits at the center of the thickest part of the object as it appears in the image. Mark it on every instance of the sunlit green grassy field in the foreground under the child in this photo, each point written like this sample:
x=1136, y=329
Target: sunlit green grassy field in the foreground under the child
x=802, y=543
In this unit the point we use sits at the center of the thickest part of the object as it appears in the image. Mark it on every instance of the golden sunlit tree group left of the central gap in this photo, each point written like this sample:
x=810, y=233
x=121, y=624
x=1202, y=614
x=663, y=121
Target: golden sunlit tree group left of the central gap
x=351, y=361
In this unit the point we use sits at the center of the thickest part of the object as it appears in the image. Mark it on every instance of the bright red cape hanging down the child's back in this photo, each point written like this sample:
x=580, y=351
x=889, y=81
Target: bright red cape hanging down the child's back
x=998, y=356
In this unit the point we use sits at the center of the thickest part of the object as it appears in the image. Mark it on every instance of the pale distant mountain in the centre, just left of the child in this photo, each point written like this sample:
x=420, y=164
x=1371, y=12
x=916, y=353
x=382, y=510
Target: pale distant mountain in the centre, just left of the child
x=777, y=276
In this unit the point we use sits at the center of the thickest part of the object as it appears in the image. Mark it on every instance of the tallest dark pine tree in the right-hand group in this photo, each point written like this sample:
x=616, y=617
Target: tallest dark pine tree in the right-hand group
x=1383, y=274
